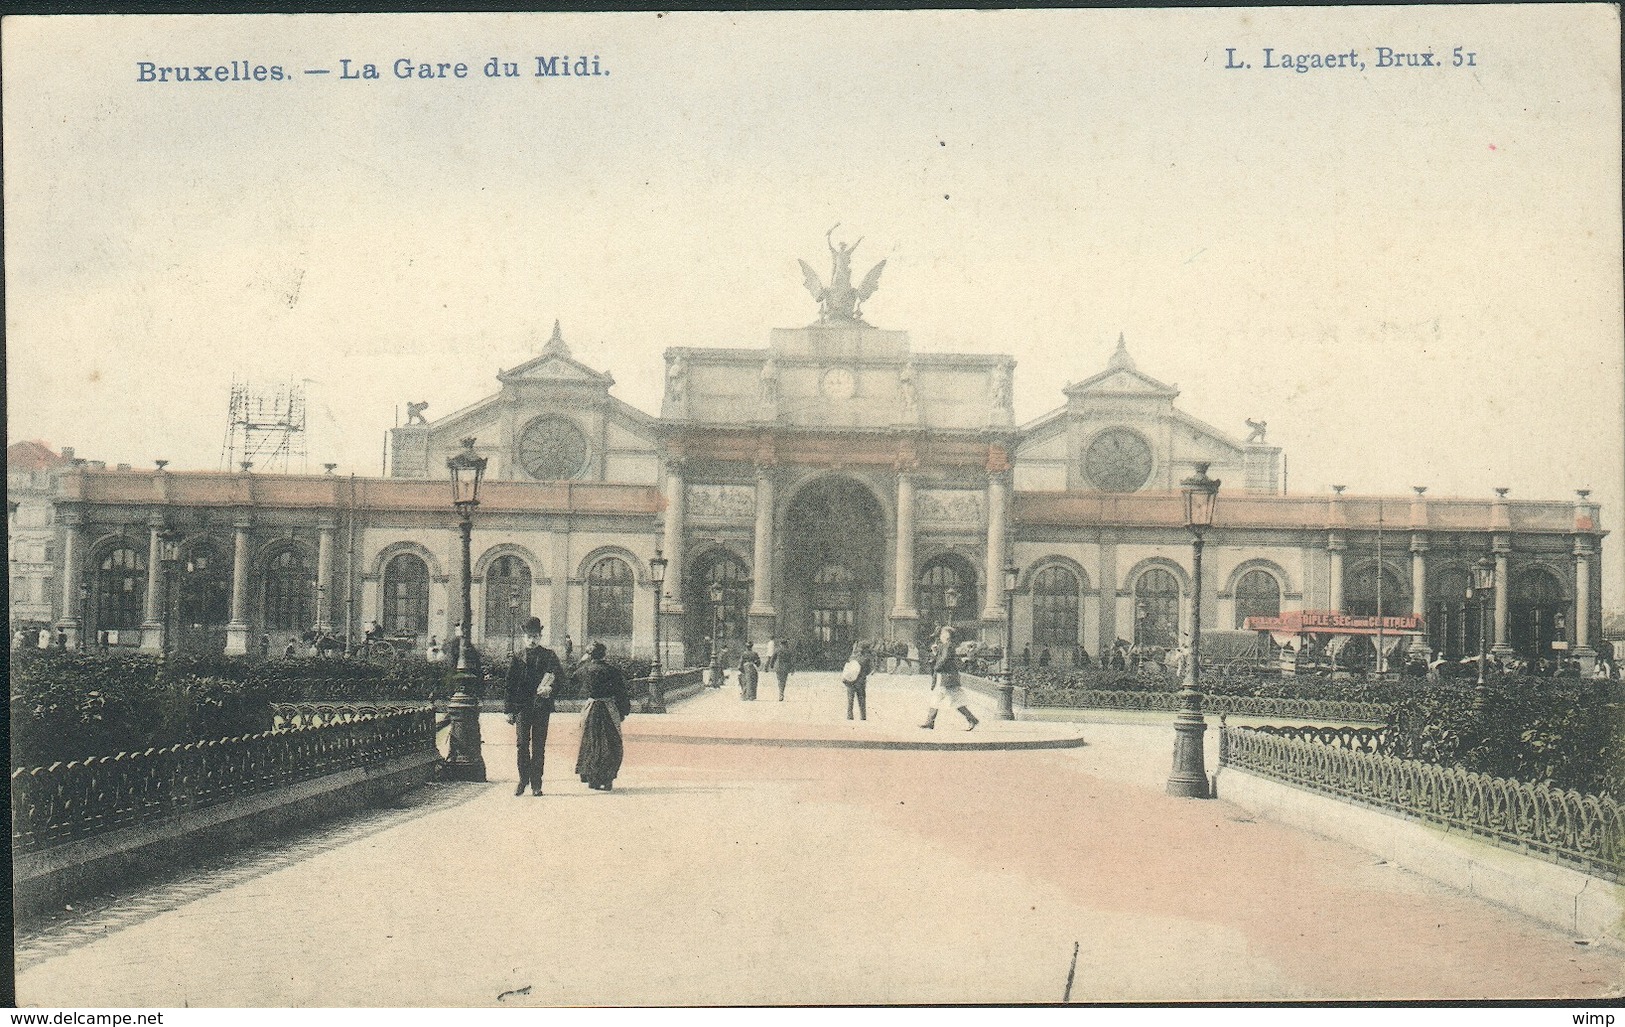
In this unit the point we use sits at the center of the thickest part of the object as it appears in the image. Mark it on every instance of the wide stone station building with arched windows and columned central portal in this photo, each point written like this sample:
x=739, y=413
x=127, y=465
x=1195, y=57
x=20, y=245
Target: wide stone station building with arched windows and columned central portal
x=833, y=485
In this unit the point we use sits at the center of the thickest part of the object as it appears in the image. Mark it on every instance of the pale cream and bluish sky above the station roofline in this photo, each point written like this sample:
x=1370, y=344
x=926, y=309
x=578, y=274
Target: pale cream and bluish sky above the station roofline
x=1411, y=274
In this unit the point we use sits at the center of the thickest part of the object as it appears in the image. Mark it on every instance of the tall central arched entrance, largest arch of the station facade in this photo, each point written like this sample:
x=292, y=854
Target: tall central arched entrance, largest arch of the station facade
x=834, y=571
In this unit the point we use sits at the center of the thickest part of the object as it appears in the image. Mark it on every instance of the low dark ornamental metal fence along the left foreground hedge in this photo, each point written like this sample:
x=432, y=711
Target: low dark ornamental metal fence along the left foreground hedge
x=67, y=802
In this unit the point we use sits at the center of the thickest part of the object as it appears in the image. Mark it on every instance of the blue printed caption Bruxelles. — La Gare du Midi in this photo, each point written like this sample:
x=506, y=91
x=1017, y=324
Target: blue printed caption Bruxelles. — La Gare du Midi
x=405, y=69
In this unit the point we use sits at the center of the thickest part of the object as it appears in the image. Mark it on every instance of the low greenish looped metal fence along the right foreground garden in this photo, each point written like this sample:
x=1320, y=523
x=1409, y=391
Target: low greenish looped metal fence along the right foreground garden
x=1584, y=831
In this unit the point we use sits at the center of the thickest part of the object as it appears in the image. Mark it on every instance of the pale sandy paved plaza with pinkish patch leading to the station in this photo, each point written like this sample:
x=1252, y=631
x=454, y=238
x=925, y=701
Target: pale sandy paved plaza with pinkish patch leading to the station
x=730, y=870
